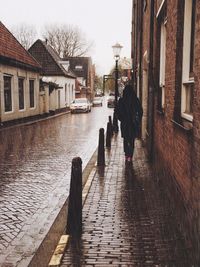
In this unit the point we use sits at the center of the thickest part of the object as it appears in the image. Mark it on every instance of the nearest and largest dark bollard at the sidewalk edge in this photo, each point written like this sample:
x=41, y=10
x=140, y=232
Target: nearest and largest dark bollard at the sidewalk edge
x=74, y=218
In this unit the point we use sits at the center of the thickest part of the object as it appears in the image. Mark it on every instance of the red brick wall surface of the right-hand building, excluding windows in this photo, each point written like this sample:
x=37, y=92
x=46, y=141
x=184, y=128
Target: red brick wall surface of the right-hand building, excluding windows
x=177, y=151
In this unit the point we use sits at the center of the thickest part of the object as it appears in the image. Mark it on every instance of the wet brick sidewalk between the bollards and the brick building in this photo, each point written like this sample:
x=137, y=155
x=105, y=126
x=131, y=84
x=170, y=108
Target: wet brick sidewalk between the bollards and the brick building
x=124, y=220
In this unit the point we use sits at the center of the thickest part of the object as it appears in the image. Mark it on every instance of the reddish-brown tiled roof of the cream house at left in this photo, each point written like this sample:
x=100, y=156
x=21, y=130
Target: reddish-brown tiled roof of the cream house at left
x=10, y=48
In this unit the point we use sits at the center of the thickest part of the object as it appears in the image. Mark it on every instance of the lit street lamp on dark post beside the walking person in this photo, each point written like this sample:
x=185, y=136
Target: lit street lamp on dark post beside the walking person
x=116, y=51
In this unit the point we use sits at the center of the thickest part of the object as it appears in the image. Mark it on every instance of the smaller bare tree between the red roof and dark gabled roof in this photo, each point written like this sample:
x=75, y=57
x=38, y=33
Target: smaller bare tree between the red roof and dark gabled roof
x=25, y=34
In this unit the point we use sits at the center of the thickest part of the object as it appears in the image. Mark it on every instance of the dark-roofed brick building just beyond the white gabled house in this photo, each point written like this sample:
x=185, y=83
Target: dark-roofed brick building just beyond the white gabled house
x=85, y=72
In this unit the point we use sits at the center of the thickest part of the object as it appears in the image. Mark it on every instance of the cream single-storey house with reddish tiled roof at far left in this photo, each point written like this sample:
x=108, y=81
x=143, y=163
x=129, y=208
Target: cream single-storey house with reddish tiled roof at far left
x=19, y=79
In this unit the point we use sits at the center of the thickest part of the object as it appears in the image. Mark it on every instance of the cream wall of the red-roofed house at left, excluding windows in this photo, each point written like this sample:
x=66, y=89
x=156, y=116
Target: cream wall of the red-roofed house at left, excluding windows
x=16, y=73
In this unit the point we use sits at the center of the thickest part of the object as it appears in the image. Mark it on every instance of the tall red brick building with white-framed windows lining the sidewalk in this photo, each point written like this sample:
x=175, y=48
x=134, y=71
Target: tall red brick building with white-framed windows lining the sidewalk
x=166, y=73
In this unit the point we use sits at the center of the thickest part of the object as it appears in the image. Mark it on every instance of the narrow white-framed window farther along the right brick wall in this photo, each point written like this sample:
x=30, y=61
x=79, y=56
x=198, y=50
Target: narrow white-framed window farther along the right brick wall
x=162, y=62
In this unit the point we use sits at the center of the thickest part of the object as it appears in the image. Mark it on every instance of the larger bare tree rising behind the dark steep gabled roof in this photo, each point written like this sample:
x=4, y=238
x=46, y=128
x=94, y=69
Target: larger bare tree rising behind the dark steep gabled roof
x=67, y=40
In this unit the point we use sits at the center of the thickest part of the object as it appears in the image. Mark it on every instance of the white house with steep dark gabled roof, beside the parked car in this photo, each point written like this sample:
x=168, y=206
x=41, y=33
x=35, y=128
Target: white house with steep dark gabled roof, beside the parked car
x=55, y=70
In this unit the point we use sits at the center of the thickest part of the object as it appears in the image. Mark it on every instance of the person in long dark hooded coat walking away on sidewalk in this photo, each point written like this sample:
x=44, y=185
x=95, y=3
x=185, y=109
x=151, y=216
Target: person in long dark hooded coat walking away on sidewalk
x=129, y=113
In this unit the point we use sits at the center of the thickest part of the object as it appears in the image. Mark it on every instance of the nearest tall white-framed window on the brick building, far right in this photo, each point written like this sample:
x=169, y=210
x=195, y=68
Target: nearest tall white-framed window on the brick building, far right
x=188, y=57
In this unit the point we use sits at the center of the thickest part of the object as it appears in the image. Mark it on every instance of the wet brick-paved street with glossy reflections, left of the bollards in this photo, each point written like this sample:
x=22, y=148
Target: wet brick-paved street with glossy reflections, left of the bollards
x=35, y=159
